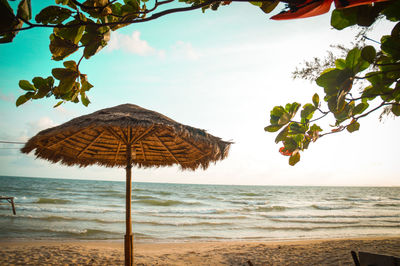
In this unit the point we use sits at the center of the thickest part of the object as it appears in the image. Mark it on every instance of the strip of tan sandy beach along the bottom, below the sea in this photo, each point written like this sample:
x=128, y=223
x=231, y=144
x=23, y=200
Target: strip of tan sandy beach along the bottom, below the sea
x=305, y=252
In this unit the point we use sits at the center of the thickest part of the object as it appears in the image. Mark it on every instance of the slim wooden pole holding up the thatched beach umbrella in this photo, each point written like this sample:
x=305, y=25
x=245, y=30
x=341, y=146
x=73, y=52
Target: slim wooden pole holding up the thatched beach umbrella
x=128, y=235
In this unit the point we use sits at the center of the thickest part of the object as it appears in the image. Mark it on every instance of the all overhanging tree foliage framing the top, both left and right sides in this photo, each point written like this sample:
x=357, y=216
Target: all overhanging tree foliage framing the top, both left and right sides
x=85, y=27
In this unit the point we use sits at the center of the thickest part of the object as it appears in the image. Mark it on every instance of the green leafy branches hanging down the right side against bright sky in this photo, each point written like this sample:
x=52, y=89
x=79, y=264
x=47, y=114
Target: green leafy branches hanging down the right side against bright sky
x=377, y=70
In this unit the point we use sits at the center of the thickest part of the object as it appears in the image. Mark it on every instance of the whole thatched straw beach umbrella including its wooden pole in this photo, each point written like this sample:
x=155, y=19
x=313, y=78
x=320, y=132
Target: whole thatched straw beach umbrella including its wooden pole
x=123, y=136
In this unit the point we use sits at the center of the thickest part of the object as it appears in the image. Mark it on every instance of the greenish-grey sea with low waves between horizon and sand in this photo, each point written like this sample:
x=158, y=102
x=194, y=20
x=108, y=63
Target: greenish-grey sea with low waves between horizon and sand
x=81, y=209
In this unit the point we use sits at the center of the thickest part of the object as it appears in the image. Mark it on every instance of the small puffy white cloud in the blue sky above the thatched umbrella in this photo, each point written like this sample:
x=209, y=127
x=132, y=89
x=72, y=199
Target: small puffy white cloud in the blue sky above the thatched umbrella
x=132, y=44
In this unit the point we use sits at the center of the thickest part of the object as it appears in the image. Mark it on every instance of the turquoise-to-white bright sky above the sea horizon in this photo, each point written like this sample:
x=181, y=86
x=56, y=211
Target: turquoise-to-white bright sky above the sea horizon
x=220, y=71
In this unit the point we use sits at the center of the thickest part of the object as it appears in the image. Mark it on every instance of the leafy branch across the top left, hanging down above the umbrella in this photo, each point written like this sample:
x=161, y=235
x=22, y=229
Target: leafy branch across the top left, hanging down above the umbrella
x=85, y=27
